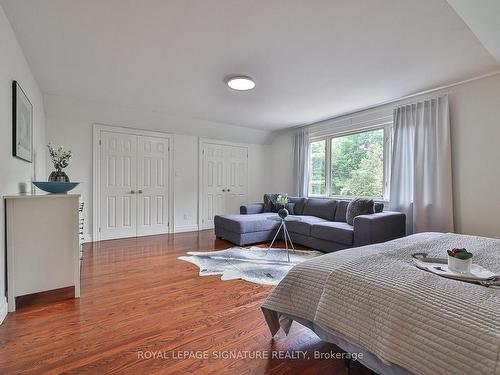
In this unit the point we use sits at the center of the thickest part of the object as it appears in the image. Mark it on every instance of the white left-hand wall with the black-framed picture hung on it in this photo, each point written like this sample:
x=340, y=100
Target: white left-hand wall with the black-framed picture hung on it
x=14, y=171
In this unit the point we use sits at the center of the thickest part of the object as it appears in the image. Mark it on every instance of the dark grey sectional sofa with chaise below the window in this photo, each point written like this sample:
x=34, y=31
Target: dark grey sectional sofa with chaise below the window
x=322, y=225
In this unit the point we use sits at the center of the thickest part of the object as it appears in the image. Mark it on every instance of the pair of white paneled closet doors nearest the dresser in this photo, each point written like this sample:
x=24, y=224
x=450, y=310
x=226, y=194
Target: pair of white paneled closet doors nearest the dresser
x=133, y=187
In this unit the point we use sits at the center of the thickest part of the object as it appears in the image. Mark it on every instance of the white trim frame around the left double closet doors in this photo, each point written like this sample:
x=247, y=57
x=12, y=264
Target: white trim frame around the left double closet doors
x=96, y=155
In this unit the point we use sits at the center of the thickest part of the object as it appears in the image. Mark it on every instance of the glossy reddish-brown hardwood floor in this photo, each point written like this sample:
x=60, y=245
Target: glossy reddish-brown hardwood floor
x=138, y=299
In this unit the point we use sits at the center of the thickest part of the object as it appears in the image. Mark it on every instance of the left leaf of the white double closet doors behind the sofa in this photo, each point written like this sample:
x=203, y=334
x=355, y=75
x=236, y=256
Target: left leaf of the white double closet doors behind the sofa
x=213, y=183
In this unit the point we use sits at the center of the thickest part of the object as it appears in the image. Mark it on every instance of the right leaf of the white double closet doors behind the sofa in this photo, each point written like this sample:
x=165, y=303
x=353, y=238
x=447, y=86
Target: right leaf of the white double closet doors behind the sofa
x=236, y=181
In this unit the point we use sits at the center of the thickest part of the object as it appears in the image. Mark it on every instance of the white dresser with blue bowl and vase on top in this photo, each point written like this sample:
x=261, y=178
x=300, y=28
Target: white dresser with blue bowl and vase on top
x=43, y=247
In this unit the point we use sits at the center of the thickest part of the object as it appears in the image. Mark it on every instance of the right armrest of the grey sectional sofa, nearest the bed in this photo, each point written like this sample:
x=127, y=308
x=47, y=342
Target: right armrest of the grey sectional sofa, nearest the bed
x=379, y=227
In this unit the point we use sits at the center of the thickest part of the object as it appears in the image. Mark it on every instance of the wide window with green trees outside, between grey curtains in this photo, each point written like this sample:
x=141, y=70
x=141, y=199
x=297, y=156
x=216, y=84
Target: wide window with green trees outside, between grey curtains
x=355, y=166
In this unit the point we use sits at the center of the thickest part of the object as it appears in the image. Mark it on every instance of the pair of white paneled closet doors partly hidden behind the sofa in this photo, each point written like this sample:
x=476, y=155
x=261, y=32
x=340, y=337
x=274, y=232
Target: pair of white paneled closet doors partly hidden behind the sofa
x=224, y=183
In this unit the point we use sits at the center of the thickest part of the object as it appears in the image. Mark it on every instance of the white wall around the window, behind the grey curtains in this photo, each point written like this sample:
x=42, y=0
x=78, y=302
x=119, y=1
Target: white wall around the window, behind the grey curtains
x=475, y=131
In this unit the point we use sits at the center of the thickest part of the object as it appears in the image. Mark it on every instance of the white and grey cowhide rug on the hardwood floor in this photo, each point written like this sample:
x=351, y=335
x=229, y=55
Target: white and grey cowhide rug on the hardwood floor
x=256, y=264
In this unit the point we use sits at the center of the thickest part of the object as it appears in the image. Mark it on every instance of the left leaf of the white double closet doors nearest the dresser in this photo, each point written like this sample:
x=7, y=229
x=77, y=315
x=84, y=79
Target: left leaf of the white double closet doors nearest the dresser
x=117, y=185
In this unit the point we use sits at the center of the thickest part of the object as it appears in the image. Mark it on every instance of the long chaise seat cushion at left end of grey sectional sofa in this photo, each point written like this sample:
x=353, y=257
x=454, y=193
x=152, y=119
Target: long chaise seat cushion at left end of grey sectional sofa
x=246, y=223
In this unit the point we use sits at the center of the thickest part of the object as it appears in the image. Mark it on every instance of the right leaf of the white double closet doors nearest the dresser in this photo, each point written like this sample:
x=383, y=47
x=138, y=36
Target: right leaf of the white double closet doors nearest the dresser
x=152, y=185
